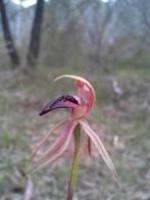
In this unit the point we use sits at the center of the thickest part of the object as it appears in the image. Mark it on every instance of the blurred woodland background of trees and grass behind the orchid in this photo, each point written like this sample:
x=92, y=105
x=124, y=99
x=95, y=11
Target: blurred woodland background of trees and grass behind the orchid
x=105, y=41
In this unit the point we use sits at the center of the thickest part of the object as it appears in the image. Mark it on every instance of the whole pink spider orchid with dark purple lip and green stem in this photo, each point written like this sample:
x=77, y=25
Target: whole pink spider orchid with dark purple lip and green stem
x=75, y=127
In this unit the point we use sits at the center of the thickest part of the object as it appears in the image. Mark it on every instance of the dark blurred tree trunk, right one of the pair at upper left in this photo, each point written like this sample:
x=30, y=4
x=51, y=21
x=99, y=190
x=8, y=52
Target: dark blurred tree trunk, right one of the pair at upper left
x=35, y=38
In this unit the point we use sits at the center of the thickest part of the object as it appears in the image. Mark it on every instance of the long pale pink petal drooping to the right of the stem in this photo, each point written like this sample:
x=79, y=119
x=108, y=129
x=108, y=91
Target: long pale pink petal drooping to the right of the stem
x=100, y=147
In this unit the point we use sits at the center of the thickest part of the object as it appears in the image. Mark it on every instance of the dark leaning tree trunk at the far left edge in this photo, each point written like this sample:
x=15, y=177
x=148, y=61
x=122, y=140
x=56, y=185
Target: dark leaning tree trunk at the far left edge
x=12, y=52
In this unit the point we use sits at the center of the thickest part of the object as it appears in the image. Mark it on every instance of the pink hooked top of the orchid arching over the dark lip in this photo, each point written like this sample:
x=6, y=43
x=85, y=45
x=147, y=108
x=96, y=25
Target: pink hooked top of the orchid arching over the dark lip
x=86, y=90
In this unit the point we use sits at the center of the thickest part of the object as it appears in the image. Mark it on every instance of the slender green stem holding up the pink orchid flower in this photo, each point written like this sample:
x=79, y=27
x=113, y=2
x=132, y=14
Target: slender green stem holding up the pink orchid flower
x=75, y=164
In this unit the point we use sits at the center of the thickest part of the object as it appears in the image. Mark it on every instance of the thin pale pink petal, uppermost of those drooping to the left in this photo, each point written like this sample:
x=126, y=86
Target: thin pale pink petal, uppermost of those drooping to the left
x=46, y=138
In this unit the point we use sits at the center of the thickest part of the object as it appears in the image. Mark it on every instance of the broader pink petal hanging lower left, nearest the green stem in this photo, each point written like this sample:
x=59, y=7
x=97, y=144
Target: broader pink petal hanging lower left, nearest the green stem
x=58, y=148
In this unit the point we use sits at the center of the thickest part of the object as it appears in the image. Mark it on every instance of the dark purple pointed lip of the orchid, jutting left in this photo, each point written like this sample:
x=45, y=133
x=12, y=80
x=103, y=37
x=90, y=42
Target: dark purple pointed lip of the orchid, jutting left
x=65, y=101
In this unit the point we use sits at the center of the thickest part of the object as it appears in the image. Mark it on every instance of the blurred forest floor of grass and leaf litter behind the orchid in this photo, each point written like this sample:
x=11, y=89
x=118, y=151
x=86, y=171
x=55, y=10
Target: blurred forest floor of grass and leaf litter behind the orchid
x=125, y=119
